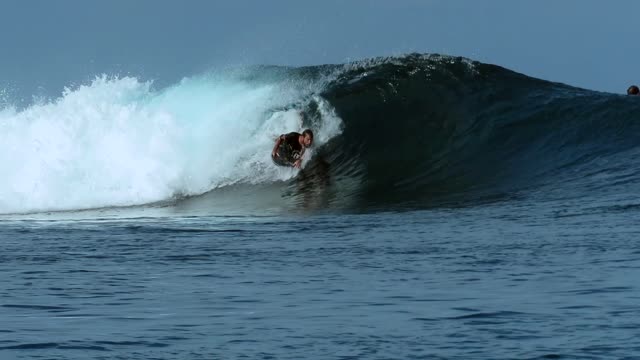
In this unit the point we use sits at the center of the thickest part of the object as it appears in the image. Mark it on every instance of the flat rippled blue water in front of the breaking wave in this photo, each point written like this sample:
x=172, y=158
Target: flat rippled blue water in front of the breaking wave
x=523, y=279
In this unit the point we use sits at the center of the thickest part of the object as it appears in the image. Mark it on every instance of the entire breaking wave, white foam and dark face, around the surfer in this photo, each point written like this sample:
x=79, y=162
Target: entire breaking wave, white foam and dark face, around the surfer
x=414, y=131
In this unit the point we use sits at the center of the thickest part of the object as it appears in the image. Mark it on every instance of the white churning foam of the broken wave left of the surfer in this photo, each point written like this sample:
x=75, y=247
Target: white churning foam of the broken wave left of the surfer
x=117, y=142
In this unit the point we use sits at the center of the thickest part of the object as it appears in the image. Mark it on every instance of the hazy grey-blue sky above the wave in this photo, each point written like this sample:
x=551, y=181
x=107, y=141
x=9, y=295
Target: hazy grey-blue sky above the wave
x=47, y=45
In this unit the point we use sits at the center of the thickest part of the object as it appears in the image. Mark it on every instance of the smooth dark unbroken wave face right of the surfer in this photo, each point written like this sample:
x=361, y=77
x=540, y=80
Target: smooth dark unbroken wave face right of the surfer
x=426, y=129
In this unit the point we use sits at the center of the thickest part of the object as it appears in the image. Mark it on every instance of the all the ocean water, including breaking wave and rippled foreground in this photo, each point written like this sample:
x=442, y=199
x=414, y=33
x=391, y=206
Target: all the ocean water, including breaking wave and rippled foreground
x=449, y=209
